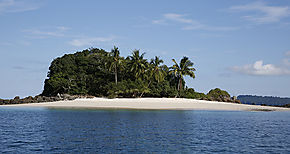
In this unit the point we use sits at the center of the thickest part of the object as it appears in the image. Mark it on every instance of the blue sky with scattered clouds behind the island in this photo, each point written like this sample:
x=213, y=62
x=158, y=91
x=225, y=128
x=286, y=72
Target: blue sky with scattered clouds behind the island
x=241, y=46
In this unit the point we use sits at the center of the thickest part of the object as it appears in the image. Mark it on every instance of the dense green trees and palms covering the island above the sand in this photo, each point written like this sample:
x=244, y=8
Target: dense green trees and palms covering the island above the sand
x=100, y=73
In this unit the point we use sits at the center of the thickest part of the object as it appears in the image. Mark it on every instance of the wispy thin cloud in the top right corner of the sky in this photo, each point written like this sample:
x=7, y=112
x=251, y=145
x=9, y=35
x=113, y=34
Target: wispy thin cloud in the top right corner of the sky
x=263, y=12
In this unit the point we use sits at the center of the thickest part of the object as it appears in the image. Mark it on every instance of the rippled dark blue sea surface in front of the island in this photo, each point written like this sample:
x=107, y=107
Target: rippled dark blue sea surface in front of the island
x=27, y=130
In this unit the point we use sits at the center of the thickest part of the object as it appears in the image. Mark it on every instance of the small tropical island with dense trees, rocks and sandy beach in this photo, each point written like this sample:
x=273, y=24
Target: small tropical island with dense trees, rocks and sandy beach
x=102, y=76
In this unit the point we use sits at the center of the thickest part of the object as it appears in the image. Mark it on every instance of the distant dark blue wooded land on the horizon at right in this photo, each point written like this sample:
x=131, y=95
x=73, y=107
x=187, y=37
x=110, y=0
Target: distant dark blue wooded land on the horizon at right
x=264, y=100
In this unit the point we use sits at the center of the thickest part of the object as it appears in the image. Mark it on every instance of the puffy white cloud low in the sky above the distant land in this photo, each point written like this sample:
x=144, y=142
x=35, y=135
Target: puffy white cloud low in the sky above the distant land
x=260, y=69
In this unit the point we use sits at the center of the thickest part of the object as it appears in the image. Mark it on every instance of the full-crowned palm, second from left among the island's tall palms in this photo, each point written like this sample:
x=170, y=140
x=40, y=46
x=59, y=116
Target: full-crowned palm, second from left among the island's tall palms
x=138, y=64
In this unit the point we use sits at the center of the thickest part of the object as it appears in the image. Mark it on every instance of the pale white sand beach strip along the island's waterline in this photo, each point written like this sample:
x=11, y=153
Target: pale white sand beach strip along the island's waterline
x=151, y=103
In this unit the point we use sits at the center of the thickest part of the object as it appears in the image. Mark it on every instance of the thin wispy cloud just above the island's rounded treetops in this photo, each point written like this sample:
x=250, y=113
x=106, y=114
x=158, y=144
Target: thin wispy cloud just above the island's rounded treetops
x=90, y=41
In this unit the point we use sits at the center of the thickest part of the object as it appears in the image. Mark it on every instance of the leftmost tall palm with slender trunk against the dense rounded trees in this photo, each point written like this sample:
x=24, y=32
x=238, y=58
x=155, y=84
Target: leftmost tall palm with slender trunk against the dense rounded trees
x=115, y=53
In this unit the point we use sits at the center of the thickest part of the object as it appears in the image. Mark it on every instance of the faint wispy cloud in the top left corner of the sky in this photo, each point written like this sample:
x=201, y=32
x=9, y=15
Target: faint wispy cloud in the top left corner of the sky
x=12, y=6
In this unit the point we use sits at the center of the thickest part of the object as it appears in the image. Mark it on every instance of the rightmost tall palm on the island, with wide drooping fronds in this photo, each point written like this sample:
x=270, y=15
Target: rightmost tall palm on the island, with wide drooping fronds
x=184, y=68
